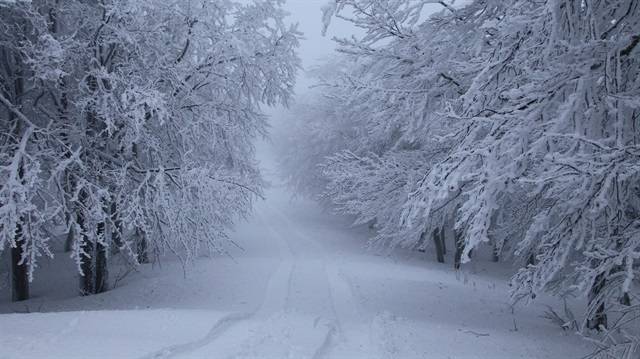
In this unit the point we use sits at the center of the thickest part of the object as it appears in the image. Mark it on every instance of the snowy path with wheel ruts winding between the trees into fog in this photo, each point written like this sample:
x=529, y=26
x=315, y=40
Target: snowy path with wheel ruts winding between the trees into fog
x=308, y=310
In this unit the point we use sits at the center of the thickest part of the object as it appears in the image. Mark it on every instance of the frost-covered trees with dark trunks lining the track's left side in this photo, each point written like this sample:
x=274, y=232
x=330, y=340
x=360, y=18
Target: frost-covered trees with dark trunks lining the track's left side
x=126, y=127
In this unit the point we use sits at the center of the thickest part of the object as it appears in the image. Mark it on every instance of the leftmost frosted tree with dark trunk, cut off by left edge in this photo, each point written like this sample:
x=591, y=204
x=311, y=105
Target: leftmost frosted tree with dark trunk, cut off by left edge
x=24, y=151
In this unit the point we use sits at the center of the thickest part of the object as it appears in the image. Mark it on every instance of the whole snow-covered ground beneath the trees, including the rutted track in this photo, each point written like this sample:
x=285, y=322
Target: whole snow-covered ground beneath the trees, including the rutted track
x=303, y=286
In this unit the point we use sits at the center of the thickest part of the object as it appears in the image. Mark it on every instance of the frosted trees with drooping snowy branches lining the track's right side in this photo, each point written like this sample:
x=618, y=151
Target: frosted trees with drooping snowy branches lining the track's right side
x=509, y=128
